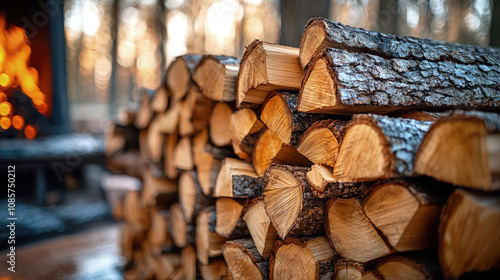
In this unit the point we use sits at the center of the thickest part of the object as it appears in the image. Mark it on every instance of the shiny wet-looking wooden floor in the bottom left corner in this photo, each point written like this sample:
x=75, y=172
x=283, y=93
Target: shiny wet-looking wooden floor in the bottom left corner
x=92, y=254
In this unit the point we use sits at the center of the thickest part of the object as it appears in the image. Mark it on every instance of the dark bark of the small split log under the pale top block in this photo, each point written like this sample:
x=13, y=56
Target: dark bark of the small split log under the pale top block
x=300, y=121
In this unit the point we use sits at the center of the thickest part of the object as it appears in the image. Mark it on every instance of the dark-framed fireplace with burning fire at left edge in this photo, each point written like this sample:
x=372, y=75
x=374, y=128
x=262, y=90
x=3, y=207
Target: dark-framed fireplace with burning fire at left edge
x=33, y=98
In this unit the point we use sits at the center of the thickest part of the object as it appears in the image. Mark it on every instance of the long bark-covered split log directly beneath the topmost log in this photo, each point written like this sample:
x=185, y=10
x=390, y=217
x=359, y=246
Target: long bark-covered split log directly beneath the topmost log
x=343, y=82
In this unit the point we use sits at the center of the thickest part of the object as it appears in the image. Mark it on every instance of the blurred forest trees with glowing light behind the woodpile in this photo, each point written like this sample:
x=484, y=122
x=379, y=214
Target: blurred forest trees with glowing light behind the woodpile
x=115, y=47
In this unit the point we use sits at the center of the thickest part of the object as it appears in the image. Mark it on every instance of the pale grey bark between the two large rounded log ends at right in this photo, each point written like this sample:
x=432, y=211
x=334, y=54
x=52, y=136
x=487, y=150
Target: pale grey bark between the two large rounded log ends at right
x=403, y=138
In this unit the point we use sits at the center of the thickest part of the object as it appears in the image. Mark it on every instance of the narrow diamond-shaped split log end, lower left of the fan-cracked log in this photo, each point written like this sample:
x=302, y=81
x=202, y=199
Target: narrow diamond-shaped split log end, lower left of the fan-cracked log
x=261, y=229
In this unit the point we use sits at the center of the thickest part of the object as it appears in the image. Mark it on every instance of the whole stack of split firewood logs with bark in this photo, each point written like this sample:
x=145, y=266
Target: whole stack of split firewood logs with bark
x=335, y=160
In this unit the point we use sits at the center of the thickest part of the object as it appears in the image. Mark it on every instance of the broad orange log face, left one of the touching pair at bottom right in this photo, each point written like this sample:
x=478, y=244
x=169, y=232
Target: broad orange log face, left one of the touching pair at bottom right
x=351, y=233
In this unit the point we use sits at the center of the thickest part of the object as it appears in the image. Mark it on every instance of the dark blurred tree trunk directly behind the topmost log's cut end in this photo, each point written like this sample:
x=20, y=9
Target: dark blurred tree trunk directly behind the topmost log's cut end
x=294, y=16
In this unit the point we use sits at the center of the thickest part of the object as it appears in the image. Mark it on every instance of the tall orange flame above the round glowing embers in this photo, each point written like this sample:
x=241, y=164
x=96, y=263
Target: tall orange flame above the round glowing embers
x=15, y=71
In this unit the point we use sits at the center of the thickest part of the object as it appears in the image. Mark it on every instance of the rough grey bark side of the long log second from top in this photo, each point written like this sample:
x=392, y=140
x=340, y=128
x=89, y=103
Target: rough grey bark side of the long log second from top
x=362, y=79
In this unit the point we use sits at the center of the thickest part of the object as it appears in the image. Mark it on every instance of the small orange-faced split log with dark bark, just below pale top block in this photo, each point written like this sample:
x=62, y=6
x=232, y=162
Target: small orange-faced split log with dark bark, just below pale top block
x=280, y=115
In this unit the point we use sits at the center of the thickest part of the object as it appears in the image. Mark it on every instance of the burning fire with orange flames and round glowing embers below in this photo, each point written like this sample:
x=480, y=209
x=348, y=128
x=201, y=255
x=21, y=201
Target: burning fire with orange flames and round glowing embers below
x=15, y=73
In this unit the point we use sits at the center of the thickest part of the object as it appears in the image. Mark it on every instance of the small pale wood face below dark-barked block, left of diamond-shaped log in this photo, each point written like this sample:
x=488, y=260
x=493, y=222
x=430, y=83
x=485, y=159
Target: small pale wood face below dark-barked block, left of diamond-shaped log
x=229, y=212
